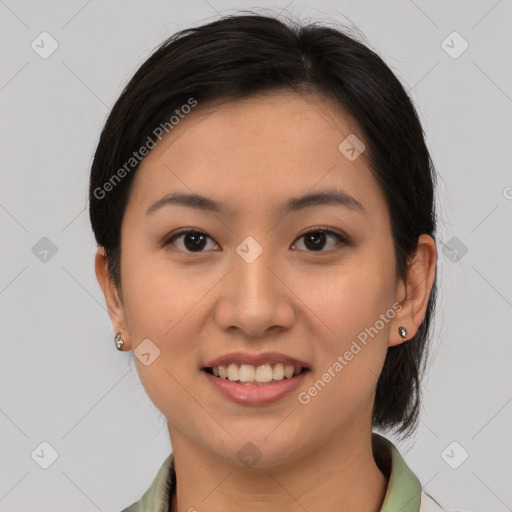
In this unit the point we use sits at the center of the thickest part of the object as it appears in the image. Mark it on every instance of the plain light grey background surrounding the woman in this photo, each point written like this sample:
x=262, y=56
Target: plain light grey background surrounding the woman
x=62, y=380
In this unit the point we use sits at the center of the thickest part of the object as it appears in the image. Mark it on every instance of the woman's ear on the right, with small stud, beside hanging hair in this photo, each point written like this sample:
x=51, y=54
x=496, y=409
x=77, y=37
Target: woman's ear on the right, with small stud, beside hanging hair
x=413, y=294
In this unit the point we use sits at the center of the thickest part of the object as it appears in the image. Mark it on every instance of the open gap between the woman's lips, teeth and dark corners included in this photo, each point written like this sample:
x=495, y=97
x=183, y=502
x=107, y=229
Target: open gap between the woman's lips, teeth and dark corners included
x=261, y=375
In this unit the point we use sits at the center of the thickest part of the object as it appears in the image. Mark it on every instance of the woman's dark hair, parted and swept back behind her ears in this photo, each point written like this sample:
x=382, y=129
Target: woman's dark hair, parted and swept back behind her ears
x=247, y=54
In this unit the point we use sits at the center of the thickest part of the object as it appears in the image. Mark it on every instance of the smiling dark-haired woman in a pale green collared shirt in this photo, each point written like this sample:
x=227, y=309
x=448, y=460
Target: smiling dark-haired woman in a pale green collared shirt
x=263, y=201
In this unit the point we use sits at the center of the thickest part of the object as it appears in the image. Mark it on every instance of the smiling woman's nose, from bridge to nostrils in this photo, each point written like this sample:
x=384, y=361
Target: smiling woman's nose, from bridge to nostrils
x=255, y=298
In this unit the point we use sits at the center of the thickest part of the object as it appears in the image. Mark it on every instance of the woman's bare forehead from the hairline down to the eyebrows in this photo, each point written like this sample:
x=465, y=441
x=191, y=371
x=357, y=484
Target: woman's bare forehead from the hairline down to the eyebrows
x=255, y=151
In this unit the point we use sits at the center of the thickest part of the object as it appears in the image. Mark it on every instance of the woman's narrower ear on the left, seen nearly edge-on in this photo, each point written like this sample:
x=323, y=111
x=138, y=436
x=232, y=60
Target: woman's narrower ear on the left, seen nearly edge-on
x=113, y=298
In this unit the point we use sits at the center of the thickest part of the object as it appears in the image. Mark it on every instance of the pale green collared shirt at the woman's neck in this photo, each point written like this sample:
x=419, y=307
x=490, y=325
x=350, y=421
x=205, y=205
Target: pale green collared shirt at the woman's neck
x=404, y=492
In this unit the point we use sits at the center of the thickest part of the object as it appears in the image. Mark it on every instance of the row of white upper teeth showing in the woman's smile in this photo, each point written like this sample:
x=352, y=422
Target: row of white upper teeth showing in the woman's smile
x=251, y=373
